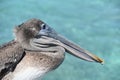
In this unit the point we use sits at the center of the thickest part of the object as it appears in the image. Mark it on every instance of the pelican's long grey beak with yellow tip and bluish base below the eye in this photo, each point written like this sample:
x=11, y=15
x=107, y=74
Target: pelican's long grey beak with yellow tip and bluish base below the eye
x=53, y=38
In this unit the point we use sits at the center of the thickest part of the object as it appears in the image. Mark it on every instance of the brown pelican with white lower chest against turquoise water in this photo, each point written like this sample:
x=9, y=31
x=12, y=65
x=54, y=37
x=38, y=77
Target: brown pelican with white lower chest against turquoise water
x=36, y=50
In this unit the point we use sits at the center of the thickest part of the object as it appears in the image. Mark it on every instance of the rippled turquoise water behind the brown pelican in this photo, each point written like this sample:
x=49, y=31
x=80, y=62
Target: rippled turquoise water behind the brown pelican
x=92, y=24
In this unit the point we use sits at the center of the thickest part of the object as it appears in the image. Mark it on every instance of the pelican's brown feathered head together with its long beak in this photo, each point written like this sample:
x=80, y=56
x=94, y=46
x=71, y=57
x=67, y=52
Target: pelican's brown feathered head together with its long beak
x=37, y=35
